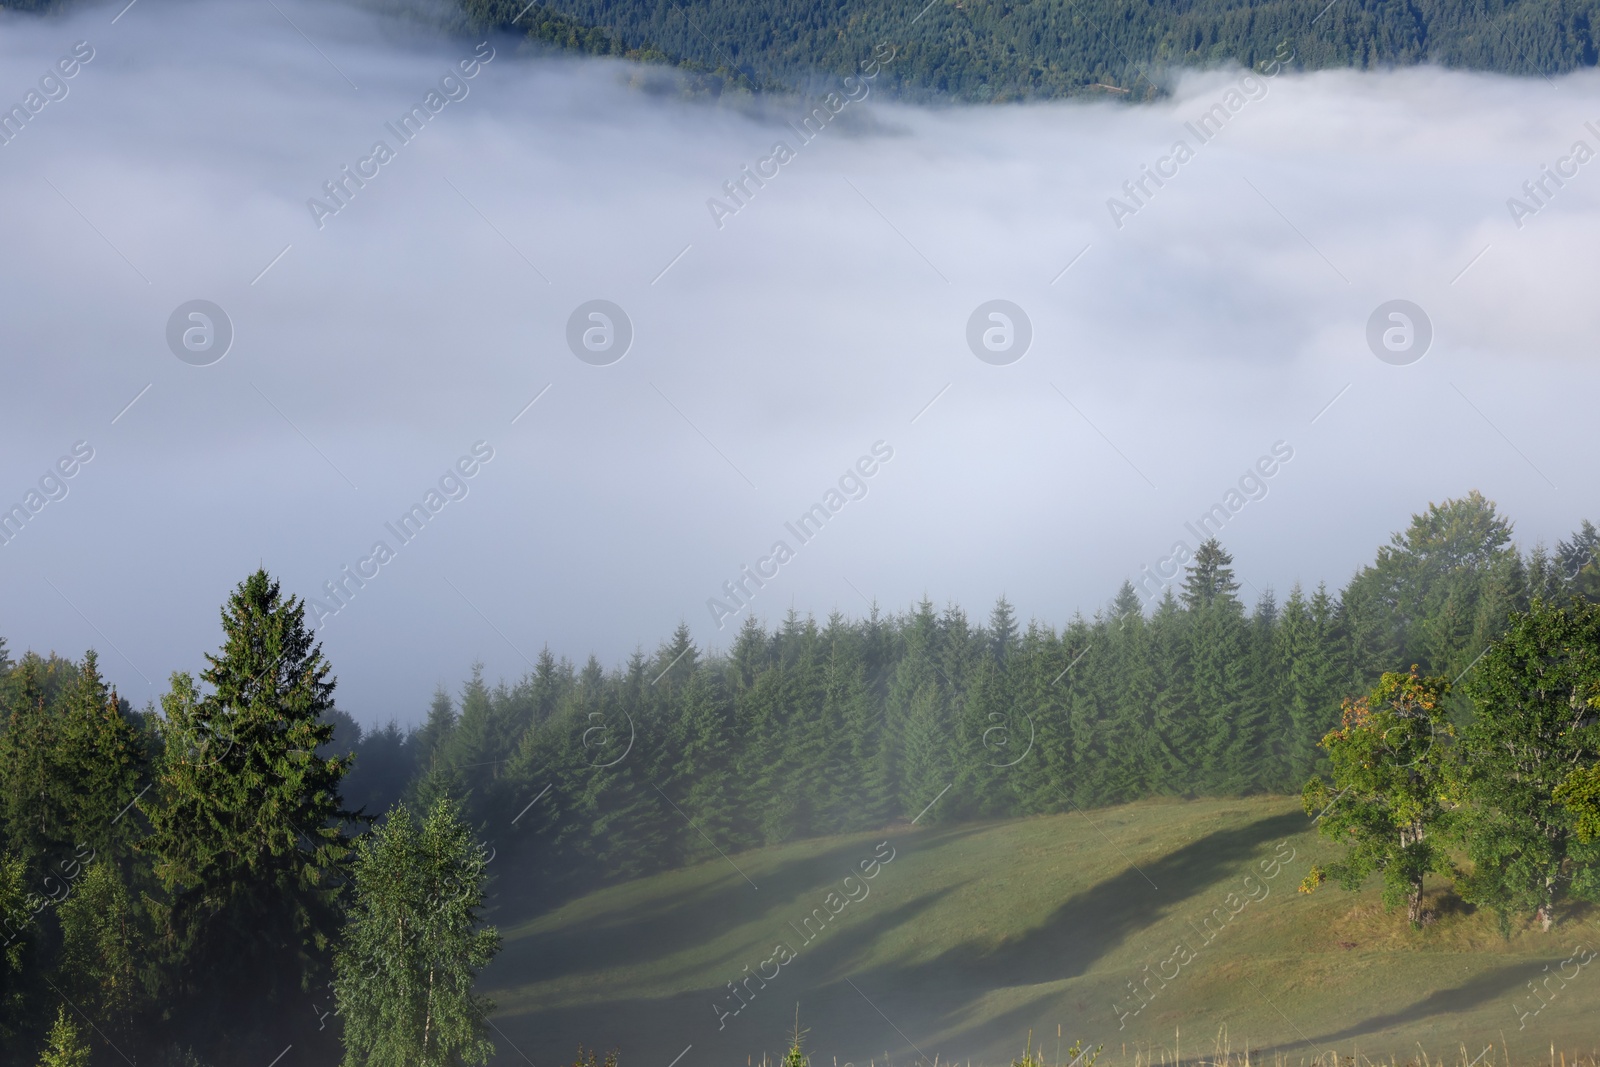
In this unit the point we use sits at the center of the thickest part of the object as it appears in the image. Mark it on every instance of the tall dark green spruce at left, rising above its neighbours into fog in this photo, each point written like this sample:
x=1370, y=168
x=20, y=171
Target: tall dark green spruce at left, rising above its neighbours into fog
x=246, y=813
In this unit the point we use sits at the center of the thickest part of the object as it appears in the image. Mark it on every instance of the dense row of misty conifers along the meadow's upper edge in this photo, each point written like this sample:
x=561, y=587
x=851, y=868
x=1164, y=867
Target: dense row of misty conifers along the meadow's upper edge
x=844, y=725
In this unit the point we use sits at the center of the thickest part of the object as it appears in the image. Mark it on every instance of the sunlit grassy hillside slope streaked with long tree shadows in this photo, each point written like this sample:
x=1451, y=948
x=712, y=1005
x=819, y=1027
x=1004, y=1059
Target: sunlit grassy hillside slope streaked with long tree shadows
x=974, y=935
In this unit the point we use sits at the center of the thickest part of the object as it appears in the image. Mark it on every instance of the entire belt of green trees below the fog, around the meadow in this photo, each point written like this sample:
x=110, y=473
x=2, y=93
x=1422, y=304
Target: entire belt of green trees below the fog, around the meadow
x=242, y=860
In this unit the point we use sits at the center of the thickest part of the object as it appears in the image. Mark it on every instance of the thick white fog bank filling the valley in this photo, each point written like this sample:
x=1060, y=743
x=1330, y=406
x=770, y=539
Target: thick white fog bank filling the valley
x=769, y=354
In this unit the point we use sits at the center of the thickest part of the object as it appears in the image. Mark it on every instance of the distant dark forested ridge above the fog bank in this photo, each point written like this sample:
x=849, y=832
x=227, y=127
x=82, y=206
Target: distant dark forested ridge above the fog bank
x=998, y=50
